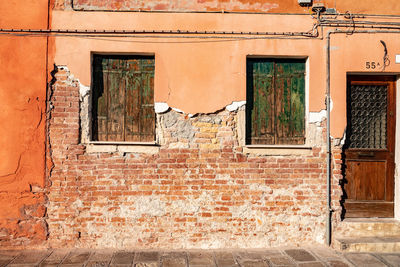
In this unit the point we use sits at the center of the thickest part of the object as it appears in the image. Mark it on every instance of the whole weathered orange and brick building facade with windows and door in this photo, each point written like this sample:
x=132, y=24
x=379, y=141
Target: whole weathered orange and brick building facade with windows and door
x=204, y=124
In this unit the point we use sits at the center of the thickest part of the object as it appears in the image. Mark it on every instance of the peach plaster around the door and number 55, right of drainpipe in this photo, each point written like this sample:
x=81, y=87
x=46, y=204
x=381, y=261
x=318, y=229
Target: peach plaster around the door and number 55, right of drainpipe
x=349, y=55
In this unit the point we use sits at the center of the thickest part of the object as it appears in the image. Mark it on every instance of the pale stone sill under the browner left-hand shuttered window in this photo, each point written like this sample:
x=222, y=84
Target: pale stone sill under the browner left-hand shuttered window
x=123, y=147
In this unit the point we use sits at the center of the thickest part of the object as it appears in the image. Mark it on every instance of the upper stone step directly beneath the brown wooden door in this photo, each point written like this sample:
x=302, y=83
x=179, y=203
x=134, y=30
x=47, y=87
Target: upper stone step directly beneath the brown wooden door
x=368, y=228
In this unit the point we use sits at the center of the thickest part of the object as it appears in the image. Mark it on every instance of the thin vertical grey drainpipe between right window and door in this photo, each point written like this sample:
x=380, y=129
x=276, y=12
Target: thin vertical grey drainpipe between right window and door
x=328, y=142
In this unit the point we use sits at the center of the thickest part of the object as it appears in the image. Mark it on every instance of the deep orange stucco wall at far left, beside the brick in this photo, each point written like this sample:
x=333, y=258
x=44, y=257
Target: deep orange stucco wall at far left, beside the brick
x=22, y=135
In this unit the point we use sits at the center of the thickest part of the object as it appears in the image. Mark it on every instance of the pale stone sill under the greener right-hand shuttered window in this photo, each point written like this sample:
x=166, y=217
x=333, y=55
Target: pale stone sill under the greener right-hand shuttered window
x=276, y=150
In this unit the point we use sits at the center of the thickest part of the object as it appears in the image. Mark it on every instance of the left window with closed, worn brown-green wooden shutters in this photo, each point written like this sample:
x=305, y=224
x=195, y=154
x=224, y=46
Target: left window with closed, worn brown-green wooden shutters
x=123, y=98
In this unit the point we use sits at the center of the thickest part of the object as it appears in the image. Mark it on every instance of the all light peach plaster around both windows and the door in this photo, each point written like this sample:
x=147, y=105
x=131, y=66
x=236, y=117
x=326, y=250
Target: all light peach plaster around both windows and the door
x=205, y=75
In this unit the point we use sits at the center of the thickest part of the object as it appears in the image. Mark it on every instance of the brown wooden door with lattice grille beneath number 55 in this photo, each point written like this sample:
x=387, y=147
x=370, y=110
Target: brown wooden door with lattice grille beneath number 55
x=369, y=149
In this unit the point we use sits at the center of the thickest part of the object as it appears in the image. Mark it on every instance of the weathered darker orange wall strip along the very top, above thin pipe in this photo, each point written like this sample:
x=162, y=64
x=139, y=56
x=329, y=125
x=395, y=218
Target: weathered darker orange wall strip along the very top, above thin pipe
x=270, y=6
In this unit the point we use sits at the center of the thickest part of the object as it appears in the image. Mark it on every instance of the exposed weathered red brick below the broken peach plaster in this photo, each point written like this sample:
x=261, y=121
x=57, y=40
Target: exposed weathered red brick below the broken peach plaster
x=199, y=191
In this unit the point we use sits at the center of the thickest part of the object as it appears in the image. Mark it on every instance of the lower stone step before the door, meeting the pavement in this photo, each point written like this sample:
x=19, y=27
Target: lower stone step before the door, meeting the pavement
x=370, y=244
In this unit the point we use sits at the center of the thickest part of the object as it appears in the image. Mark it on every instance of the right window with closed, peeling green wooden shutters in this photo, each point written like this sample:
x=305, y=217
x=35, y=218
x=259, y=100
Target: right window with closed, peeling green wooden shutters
x=275, y=109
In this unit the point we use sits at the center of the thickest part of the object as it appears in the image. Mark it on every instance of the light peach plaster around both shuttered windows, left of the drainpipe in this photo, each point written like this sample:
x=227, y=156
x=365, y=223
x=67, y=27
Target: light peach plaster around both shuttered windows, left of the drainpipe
x=194, y=75
